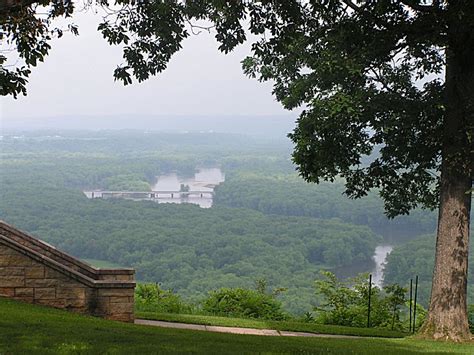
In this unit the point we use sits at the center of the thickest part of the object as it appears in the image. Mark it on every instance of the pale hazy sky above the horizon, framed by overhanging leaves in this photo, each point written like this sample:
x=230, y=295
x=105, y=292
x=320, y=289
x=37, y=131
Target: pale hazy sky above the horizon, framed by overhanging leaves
x=76, y=79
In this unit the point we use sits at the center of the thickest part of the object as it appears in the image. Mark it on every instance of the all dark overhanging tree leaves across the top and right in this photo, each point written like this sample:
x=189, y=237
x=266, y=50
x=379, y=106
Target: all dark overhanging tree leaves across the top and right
x=352, y=79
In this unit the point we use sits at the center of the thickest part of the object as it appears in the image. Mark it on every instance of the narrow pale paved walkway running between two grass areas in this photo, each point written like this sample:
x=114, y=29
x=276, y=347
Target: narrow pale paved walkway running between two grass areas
x=235, y=330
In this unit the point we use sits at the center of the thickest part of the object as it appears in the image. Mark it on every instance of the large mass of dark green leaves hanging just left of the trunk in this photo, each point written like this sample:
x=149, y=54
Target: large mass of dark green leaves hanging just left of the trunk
x=359, y=86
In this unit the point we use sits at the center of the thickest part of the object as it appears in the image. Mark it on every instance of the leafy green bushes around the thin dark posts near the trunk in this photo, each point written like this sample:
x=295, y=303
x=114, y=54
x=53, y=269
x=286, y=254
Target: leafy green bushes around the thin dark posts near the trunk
x=346, y=303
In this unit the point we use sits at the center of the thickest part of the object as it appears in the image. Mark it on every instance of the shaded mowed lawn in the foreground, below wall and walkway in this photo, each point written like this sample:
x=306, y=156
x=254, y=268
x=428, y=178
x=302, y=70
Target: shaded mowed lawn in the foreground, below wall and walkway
x=28, y=329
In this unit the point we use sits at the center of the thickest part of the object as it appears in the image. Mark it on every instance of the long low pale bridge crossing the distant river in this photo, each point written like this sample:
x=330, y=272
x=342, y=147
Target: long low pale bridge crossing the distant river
x=152, y=195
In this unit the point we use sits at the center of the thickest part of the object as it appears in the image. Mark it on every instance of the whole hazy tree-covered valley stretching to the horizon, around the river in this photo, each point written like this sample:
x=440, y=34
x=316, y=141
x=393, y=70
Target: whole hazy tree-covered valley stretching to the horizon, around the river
x=266, y=223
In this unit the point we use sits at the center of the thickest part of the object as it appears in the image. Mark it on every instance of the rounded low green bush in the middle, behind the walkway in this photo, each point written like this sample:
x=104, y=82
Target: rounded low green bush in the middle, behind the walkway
x=243, y=303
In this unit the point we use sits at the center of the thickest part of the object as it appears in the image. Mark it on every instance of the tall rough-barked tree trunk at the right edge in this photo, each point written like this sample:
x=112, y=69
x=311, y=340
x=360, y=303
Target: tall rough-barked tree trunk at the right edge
x=447, y=317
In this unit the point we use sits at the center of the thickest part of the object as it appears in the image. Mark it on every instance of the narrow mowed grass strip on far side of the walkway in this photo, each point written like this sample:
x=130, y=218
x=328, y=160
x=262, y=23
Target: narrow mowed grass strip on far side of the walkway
x=277, y=325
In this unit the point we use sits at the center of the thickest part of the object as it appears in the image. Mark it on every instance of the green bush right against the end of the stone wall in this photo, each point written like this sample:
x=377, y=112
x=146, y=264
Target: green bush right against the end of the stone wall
x=151, y=298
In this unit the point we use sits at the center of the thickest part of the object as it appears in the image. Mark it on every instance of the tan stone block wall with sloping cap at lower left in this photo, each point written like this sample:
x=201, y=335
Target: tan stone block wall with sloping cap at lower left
x=35, y=272
